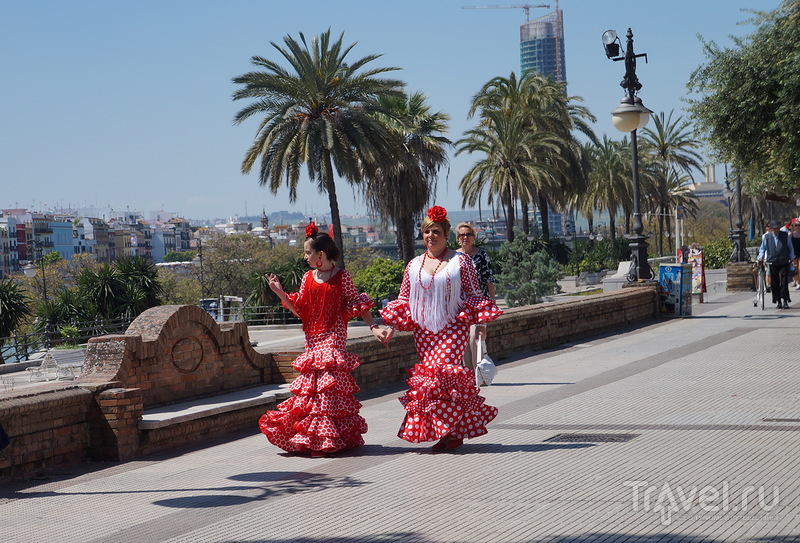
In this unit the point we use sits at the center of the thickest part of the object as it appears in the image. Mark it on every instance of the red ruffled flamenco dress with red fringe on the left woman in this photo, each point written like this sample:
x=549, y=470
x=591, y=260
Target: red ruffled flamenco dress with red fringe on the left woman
x=322, y=416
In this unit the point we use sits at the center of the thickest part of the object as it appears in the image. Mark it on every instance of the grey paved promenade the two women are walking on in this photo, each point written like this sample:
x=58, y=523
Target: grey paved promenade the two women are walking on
x=701, y=417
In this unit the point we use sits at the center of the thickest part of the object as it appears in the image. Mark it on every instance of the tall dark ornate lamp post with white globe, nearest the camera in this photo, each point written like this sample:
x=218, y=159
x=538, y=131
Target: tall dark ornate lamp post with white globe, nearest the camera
x=630, y=116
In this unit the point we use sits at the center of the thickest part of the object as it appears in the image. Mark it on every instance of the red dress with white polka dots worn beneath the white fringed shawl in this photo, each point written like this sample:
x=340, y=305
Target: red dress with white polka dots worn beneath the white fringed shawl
x=442, y=398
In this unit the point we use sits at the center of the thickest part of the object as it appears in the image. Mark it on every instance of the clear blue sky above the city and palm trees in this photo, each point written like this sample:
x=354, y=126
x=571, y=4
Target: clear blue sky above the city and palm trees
x=128, y=104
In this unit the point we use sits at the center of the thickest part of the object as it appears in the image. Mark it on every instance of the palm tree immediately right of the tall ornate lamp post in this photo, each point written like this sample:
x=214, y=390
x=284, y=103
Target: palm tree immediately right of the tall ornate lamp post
x=676, y=151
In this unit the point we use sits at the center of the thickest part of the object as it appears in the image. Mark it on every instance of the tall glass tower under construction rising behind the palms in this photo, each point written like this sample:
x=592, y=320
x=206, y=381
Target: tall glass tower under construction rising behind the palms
x=541, y=44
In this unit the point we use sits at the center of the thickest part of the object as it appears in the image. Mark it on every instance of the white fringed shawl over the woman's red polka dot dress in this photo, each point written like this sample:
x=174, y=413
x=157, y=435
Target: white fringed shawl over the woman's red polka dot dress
x=435, y=307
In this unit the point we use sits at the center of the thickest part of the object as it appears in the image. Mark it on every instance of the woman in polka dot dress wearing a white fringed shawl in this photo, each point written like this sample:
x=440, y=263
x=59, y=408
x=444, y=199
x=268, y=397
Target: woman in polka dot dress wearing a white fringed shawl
x=439, y=299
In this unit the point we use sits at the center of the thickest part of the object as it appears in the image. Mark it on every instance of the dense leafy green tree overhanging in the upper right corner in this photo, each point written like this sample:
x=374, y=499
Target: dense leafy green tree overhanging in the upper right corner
x=747, y=101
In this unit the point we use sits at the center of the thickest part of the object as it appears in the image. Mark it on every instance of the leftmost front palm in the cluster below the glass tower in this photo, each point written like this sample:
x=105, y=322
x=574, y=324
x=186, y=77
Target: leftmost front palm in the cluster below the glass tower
x=510, y=169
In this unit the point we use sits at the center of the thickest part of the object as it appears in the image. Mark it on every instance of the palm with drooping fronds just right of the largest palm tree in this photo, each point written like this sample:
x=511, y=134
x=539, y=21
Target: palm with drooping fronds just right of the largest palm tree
x=401, y=188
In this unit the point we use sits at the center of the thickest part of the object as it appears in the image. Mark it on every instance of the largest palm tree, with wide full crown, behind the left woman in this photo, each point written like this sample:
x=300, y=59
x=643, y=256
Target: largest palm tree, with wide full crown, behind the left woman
x=317, y=112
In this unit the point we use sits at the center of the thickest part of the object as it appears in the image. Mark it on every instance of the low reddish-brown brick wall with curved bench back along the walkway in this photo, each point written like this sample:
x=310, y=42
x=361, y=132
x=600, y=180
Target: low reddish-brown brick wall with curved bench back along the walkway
x=174, y=353
